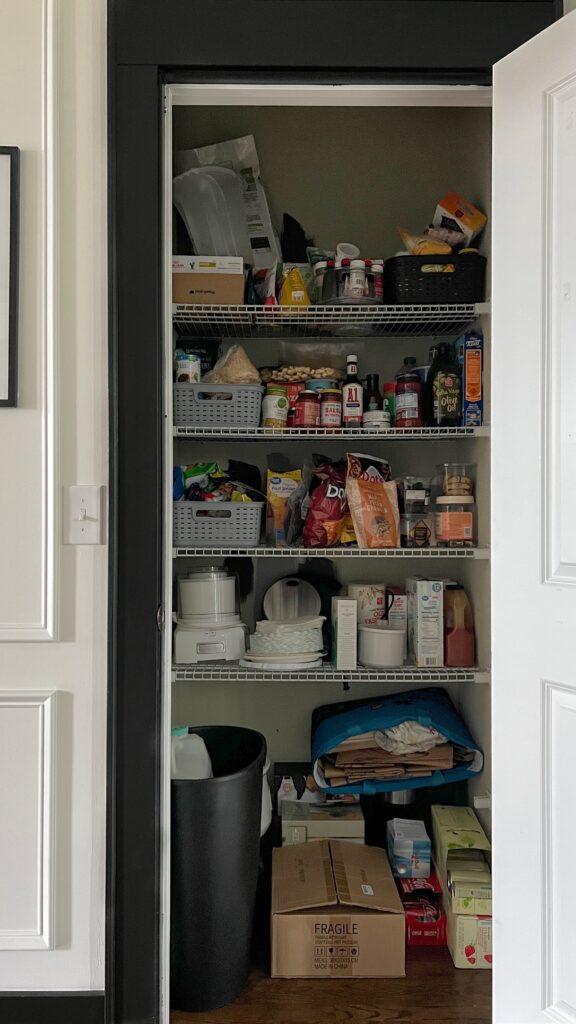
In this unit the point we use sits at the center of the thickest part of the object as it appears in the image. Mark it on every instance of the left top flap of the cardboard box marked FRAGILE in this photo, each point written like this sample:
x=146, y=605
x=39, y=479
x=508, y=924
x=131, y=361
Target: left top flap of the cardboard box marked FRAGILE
x=303, y=878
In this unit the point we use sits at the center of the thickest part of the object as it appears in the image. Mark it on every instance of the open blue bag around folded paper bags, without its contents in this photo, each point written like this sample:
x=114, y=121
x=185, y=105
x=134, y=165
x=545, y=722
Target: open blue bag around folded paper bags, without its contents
x=332, y=724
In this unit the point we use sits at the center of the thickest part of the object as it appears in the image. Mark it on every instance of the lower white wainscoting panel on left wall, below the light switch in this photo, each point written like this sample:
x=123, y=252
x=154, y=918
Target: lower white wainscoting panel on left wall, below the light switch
x=27, y=809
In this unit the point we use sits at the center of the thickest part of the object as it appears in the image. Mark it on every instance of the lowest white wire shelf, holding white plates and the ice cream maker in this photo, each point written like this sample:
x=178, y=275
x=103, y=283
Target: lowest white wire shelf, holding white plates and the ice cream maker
x=214, y=672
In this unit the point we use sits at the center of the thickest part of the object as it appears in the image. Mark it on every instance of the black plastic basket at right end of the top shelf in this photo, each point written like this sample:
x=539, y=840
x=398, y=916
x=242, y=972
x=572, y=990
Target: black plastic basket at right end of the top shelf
x=417, y=280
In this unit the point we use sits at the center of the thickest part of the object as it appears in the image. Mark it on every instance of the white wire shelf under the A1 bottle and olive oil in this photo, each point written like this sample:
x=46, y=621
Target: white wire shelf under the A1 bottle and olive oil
x=327, y=435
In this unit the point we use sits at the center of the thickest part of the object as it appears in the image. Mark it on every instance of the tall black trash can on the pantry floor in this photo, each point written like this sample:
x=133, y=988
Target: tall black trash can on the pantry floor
x=216, y=832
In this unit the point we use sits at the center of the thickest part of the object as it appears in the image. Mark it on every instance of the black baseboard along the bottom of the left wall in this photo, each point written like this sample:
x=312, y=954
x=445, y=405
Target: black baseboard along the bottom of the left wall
x=52, y=1008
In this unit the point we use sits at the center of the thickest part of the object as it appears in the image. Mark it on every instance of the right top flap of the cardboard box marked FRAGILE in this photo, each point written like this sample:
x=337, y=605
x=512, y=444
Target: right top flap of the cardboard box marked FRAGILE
x=364, y=878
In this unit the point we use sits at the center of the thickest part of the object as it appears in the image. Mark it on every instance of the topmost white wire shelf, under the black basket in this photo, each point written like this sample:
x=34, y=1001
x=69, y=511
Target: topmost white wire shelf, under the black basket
x=320, y=322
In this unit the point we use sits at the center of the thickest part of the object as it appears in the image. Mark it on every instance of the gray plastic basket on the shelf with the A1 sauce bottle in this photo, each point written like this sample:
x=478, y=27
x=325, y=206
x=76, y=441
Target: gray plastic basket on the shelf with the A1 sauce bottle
x=194, y=406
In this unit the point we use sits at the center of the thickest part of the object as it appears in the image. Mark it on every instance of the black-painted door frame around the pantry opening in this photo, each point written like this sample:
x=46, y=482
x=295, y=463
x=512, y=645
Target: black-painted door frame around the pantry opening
x=152, y=42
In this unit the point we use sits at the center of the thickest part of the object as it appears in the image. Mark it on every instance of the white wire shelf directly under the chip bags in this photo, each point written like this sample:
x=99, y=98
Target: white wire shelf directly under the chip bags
x=419, y=553
